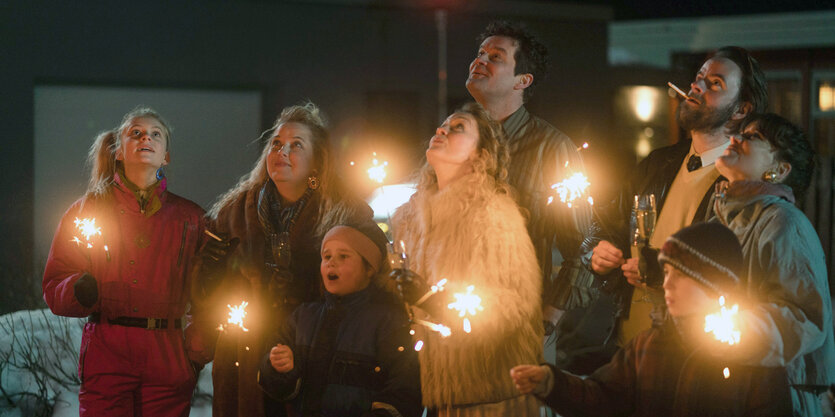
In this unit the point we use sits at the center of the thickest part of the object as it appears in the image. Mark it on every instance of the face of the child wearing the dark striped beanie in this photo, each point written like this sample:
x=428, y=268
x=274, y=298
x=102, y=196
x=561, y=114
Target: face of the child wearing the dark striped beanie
x=685, y=296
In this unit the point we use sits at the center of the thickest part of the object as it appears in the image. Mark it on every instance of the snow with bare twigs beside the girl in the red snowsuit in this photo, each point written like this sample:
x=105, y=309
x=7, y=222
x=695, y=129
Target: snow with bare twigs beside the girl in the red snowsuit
x=38, y=367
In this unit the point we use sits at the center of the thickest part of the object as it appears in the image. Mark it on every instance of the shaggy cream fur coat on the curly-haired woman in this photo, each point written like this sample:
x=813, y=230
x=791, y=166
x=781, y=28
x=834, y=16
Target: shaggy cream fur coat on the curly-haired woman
x=472, y=235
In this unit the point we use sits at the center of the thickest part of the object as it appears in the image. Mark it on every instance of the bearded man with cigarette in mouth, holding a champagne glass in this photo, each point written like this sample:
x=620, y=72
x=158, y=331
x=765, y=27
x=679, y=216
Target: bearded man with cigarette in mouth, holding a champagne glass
x=728, y=88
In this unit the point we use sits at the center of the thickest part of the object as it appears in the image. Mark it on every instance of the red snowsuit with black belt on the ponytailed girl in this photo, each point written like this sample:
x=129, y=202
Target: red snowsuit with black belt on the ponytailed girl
x=126, y=370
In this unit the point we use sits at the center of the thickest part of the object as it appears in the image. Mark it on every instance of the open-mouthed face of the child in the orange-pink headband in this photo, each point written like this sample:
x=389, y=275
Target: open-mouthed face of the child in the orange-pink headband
x=343, y=270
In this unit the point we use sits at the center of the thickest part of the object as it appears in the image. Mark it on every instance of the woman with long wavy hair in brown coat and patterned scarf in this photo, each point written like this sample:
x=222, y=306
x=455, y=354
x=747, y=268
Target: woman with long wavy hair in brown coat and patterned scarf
x=277, y=213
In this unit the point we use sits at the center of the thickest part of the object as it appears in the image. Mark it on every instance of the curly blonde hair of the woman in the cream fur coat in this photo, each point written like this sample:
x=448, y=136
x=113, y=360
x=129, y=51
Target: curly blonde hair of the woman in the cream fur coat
x=490, y=161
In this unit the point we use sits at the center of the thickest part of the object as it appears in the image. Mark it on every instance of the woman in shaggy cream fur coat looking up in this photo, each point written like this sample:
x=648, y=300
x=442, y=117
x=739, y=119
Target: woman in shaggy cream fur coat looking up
x=463, y=225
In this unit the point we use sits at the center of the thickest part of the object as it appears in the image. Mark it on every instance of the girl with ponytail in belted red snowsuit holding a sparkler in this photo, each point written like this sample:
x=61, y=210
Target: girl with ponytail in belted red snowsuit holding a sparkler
x=135, y=359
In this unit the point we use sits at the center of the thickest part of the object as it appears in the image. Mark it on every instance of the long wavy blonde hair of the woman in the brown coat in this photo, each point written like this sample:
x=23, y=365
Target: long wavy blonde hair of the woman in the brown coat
x=330, y=186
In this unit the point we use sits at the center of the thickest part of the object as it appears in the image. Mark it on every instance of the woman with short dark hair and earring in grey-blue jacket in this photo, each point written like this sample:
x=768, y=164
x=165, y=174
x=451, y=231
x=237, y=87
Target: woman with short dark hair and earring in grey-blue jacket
x=791, y=325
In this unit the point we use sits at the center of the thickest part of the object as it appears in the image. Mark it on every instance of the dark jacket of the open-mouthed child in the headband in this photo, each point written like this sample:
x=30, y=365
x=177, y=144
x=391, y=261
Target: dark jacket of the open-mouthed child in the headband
x=351, y=354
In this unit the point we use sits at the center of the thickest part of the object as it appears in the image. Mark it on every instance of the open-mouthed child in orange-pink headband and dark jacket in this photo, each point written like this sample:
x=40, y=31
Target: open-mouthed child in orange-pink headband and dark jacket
x=350, y=354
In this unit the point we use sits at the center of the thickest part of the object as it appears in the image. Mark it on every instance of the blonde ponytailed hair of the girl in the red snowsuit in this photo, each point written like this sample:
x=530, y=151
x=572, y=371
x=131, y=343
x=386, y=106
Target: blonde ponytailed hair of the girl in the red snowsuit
x=102, y=155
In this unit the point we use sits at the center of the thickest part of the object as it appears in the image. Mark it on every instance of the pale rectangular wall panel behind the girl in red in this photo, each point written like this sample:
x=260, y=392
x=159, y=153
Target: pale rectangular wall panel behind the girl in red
x=214, y=142
